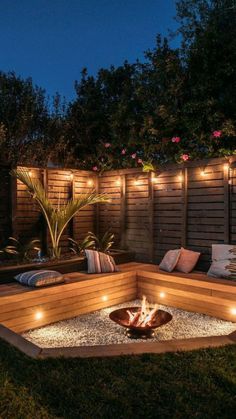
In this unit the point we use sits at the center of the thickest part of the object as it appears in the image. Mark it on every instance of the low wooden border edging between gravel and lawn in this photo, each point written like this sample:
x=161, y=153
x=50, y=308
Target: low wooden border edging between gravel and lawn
x=35, y=351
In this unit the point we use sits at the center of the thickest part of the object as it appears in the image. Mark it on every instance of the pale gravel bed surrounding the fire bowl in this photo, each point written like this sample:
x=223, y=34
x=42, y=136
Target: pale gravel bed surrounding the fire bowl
x=97, y=329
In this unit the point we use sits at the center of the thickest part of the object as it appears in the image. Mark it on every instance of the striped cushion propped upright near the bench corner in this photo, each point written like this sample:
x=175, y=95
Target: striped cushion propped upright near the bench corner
x=100, y=262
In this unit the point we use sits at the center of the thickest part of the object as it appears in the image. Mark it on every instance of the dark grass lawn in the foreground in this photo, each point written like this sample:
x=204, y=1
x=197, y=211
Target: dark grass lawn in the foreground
x=199, y=384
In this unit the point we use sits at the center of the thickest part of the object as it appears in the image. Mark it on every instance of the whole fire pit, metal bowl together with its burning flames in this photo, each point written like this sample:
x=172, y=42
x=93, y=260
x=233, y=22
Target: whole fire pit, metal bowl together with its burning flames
x=140, y=322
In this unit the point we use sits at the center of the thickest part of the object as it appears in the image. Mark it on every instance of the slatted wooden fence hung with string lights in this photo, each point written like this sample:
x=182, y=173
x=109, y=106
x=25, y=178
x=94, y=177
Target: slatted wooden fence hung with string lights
x=193, y=206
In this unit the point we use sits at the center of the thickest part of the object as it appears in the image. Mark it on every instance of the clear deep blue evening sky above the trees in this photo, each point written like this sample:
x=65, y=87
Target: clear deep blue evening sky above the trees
x=52, y=40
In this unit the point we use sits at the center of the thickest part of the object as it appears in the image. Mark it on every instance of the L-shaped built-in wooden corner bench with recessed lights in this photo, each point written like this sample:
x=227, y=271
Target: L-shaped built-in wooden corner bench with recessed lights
x=23, y=308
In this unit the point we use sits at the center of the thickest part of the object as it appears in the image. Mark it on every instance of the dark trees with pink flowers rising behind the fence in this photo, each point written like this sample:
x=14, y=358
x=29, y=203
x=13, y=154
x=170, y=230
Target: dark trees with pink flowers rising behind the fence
x=178, y=104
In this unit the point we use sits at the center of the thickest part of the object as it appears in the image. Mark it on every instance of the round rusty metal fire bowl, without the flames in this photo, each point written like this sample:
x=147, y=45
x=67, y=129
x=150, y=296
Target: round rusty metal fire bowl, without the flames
x=121, y=317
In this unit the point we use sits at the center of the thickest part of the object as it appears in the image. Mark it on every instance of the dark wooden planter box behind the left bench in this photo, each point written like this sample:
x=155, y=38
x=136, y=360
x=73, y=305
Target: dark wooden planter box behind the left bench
x=74, y=264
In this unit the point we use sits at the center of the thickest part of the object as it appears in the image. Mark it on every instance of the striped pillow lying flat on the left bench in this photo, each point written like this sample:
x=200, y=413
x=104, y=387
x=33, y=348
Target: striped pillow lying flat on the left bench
x=39, y=278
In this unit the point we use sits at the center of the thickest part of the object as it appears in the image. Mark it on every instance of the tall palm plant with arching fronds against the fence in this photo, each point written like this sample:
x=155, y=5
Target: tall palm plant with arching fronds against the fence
x=56, y=218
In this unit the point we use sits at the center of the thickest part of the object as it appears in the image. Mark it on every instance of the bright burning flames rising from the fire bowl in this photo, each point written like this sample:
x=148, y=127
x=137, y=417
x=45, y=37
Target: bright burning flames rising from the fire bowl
x=144, y=317
